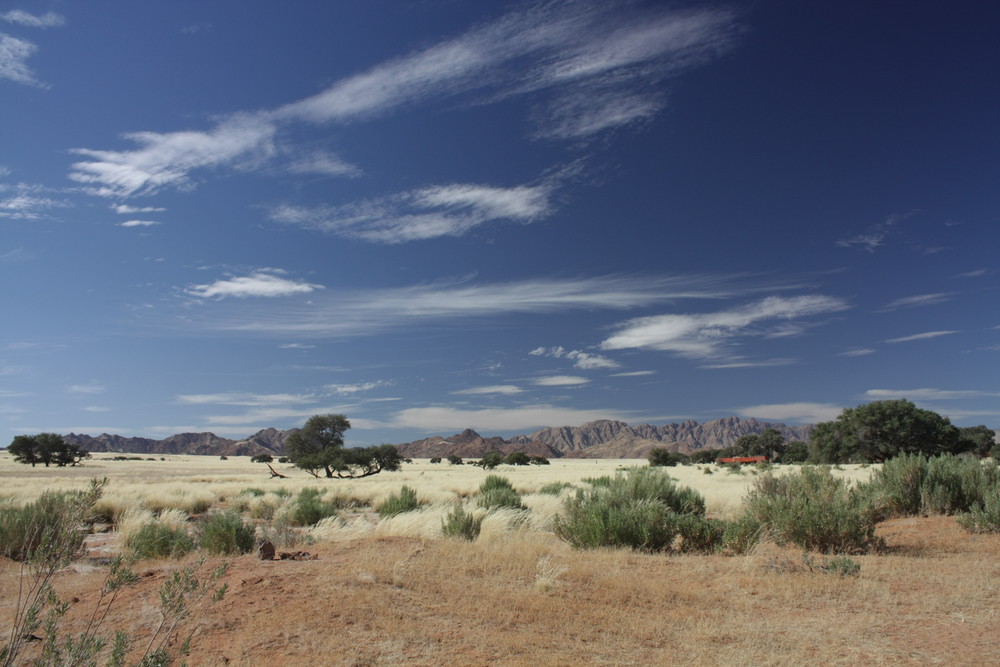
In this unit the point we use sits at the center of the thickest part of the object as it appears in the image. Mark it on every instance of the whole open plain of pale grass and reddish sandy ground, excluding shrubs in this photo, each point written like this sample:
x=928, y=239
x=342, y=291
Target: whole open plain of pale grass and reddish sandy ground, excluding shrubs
x=395, y=592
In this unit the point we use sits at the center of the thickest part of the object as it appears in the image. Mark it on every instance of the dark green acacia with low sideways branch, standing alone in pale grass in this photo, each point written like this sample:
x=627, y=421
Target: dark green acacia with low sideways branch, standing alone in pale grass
x=319, y=448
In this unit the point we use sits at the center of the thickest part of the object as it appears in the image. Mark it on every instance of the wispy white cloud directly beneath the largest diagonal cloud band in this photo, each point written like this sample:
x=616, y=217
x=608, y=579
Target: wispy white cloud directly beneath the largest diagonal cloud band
x=425, y=213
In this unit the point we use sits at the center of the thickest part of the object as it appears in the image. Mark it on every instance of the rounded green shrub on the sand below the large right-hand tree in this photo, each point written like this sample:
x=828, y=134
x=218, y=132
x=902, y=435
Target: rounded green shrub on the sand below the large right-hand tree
x=815, y=511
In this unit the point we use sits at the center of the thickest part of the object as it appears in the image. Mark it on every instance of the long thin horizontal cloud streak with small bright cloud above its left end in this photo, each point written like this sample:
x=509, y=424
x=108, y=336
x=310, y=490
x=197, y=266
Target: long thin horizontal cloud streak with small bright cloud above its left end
x=342, y=312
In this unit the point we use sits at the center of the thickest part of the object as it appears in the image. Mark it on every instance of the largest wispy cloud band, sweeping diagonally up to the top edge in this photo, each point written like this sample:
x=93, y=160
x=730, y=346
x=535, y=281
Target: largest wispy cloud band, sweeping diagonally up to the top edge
x=585, y=67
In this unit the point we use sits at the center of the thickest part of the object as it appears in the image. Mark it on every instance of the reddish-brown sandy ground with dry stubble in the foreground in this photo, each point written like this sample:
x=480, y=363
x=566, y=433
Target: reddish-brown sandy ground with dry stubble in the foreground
x=531, y=600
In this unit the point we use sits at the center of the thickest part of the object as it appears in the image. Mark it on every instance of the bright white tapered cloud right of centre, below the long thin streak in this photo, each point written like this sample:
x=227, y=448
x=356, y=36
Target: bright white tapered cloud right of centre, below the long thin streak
x=705, y=335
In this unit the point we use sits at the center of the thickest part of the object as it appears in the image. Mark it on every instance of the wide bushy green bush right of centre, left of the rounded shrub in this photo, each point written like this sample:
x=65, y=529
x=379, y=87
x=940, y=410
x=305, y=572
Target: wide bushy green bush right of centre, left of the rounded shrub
x=642, y=508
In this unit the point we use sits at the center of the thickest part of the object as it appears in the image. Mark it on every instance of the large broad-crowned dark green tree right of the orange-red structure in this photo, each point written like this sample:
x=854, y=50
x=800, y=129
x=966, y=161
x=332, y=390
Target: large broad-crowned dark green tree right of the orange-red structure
x=880, y=430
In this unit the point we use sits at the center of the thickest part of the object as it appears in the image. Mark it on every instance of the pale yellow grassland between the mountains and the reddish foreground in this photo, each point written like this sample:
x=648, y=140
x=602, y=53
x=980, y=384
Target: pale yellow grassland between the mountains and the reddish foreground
x=140, y=489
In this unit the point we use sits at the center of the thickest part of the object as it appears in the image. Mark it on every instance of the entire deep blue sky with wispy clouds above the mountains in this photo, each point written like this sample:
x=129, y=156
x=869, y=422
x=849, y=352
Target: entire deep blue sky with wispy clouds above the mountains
x=436, y=215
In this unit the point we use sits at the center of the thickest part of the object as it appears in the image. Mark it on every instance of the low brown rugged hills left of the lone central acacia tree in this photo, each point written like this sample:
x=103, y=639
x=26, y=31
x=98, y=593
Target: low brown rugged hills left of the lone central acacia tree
x=269, y=441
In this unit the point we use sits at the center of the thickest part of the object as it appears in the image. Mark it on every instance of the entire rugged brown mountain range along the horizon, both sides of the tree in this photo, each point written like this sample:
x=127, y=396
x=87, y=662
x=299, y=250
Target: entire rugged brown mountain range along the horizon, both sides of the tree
x=597, y=439
